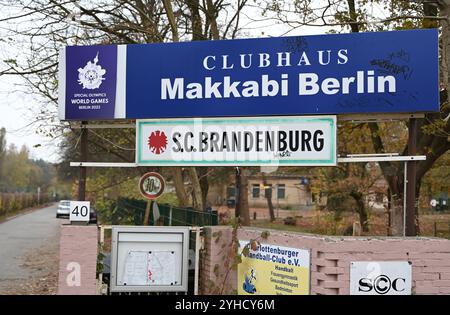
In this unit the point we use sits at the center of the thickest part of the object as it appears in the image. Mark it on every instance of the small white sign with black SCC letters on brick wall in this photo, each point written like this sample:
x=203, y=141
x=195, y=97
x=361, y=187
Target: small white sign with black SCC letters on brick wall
x=380, y=278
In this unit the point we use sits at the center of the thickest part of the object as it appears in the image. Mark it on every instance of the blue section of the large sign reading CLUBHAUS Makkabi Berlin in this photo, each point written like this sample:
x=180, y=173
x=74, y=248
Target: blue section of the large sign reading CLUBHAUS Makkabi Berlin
x=379, y=72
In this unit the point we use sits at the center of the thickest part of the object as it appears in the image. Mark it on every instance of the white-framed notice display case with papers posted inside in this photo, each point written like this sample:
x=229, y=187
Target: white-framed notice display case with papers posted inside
x=149, y=259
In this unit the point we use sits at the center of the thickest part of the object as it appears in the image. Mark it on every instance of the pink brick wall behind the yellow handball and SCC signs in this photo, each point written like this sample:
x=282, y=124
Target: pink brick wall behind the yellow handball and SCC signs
x=330, y=259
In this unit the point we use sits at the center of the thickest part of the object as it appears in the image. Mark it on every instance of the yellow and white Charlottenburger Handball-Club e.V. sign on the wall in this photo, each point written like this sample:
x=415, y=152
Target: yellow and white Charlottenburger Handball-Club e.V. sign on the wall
x=272, y=270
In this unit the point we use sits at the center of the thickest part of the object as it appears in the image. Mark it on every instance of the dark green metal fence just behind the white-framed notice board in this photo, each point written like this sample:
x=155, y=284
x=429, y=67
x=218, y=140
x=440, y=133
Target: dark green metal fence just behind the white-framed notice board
x=132, y=211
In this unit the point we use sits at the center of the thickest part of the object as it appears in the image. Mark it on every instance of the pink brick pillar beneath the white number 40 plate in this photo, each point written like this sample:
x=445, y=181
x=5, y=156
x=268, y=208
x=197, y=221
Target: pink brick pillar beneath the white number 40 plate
x=77, y=260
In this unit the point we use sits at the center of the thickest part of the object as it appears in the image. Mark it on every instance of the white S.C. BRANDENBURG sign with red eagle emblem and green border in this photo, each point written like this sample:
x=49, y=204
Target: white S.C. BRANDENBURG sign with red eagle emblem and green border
x=283, y=141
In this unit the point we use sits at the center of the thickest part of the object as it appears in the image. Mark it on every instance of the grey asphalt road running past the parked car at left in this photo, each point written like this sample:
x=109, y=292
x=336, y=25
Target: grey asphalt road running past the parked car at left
x=22, y=236
